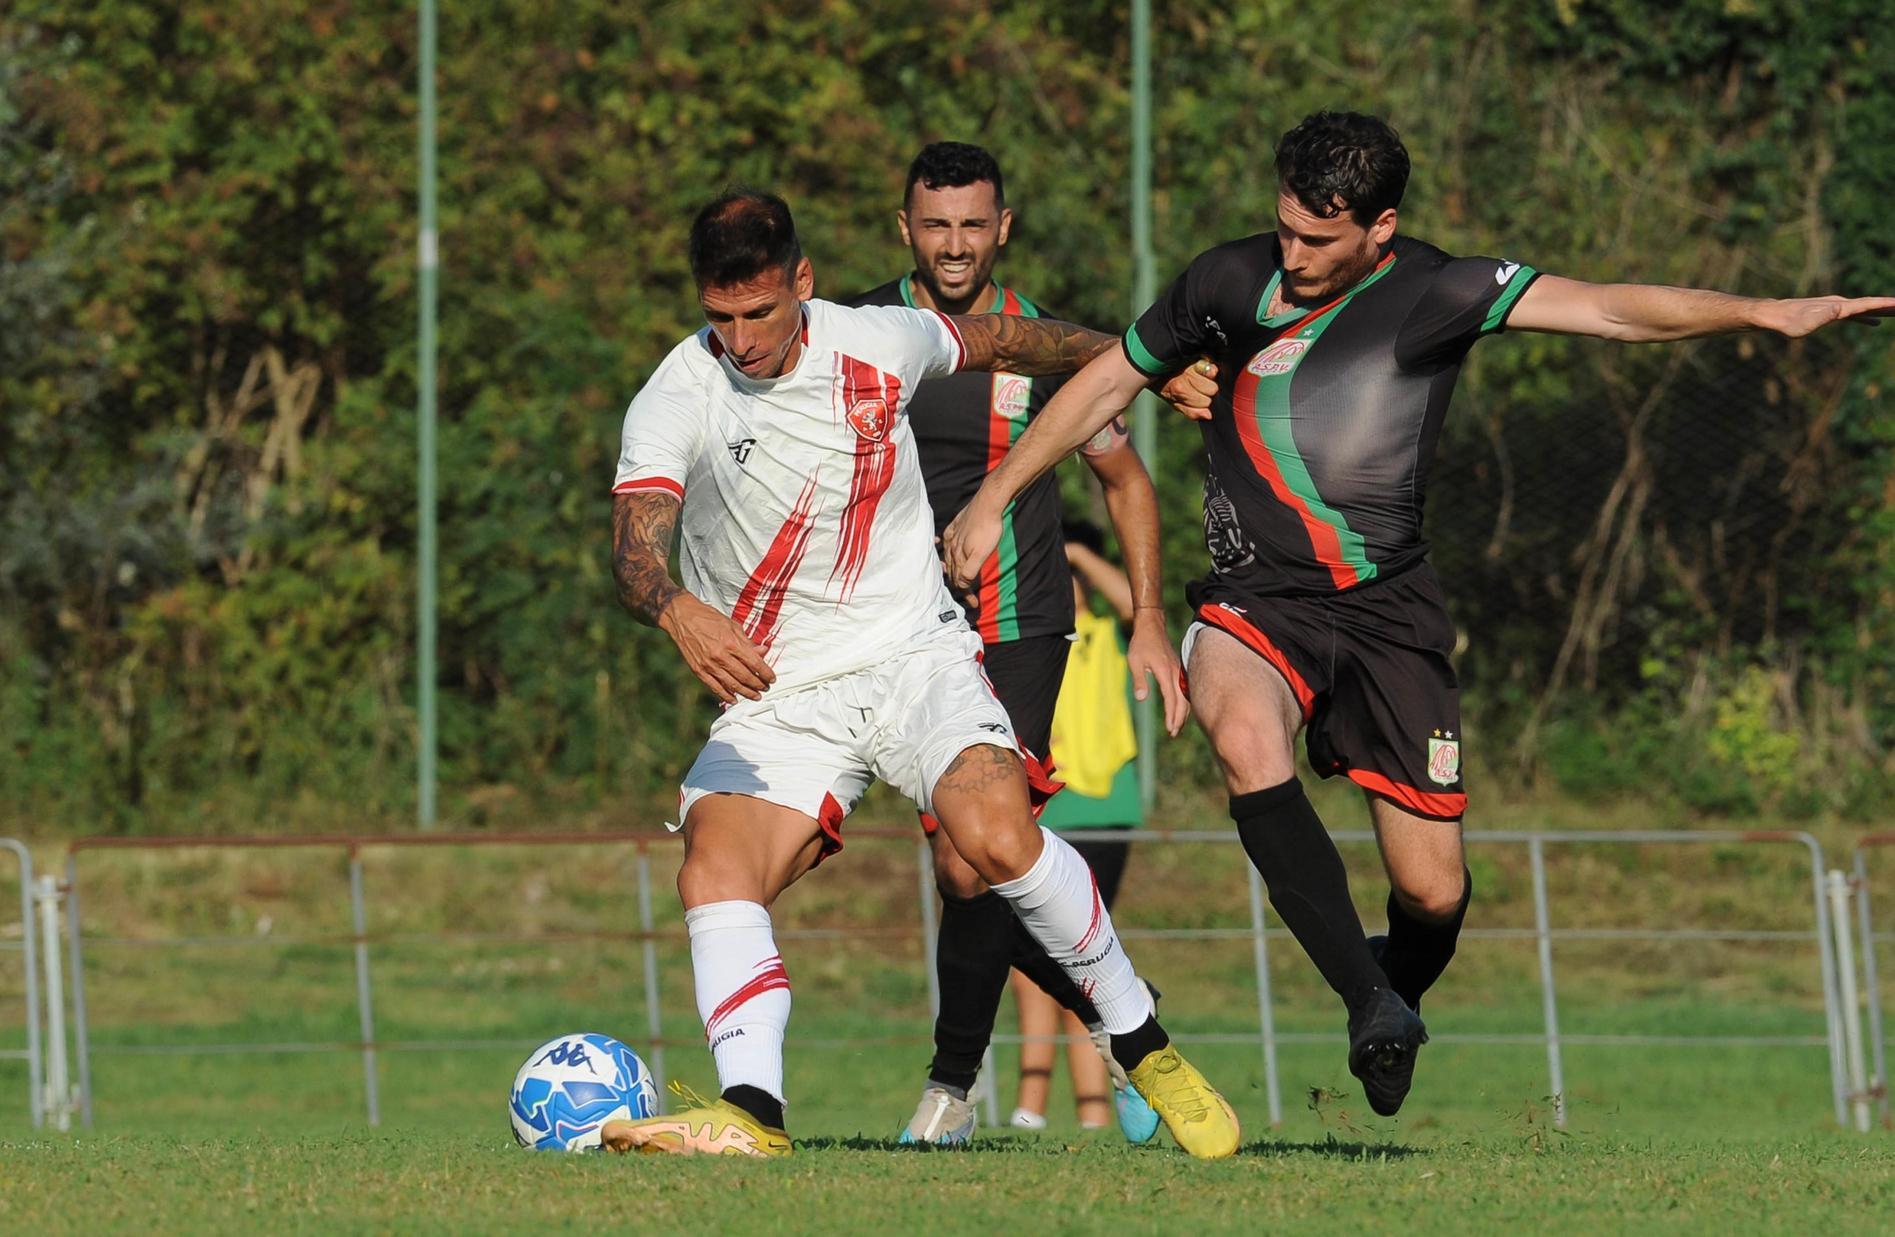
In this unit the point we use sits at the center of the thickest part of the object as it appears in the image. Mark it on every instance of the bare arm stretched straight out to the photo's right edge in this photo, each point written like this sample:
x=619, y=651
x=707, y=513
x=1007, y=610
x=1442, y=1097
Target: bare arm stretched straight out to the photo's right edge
x=1650, y=314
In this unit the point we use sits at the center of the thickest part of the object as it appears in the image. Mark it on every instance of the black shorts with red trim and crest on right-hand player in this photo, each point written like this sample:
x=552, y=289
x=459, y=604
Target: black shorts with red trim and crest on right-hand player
x=1371, y=670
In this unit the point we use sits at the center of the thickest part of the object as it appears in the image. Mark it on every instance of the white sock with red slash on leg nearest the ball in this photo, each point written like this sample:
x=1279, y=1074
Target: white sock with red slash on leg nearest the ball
x=744, y=994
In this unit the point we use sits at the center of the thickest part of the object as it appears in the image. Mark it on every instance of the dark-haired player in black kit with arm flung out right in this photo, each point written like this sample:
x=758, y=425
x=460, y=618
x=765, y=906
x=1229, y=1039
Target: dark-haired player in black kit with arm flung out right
x=1337, y=348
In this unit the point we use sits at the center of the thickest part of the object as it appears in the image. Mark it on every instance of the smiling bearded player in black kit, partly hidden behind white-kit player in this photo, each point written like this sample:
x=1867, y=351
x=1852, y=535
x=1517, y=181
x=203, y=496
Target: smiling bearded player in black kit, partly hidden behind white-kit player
x=954, y=221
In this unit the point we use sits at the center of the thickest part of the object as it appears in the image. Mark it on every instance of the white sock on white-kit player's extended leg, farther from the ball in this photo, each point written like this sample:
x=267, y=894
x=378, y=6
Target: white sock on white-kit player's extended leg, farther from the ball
x=1060, y=905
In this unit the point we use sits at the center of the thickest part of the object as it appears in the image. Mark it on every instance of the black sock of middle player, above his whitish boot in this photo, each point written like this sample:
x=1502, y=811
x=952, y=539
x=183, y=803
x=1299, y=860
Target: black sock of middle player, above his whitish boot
x=971, y=956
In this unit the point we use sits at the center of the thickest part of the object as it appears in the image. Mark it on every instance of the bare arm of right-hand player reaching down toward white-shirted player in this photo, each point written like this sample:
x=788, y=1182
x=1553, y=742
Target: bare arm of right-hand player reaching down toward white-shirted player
x=1075, y=414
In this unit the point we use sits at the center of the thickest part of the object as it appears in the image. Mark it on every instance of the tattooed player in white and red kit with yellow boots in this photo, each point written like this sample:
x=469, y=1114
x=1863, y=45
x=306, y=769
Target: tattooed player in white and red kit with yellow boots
x=814, y=607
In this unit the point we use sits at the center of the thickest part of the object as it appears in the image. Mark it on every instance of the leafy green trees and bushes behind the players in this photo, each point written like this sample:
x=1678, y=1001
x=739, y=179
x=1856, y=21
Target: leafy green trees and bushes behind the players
x=1674, y=565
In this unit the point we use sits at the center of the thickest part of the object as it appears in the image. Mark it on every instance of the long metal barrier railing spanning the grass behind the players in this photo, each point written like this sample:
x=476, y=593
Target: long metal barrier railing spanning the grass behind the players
x=1267, y=1037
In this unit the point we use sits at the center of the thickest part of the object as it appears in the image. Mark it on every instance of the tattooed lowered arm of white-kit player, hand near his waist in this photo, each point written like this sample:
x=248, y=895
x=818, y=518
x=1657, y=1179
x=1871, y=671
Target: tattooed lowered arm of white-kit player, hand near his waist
x=713, y=647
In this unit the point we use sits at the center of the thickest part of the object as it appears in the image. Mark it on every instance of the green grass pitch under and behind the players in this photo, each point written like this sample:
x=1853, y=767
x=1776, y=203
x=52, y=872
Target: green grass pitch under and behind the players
x=1659, y=1139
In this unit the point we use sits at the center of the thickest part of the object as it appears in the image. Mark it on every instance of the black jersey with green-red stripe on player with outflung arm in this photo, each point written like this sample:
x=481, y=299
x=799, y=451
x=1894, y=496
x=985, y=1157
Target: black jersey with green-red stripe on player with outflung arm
x=1326, y=418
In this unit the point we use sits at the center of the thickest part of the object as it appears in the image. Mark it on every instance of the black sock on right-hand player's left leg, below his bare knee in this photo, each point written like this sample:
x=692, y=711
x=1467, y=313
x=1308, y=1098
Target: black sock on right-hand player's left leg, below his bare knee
x=1308, y=886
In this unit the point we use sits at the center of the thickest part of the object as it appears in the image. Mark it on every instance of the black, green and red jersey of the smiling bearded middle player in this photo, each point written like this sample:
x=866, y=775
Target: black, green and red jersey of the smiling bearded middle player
x=964, y=425
